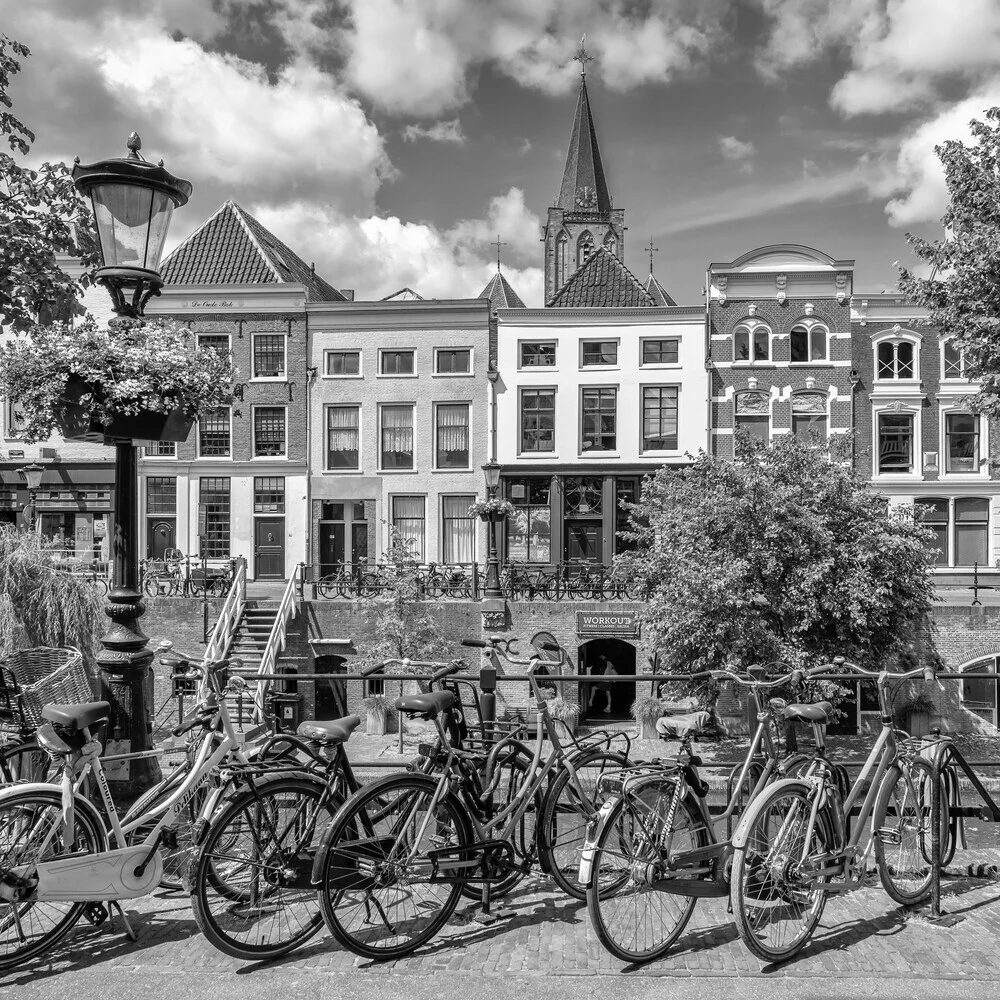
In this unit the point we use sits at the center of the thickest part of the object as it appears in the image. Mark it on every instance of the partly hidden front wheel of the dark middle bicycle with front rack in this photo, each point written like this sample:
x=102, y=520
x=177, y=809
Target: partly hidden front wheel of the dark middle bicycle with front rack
x=565, y=815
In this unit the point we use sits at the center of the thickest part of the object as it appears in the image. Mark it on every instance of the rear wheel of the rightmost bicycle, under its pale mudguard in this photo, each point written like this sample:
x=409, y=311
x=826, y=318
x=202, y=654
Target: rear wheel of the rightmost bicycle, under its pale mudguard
x=776, y=905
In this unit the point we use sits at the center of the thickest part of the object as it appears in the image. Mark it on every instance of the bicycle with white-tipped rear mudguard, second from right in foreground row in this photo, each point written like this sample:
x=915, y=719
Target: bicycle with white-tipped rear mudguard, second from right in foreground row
x=654, y=842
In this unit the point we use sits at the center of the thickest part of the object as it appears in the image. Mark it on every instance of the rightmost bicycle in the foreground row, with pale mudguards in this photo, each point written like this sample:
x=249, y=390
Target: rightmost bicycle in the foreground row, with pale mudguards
x=798, y=842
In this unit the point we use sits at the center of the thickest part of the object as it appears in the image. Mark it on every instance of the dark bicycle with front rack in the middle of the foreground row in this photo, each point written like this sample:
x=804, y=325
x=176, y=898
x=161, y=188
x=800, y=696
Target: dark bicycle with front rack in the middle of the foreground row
x=388, y=882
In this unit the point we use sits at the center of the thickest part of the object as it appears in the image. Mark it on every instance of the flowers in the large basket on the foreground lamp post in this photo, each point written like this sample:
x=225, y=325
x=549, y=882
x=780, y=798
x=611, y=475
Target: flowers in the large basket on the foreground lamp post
x=136, y=366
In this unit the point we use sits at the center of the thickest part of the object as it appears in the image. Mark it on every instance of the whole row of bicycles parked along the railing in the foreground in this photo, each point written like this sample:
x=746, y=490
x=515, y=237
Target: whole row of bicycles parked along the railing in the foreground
x=275, y=837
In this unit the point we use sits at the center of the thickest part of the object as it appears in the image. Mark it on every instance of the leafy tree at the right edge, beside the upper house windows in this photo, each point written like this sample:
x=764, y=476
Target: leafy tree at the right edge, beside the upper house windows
x=962, y=294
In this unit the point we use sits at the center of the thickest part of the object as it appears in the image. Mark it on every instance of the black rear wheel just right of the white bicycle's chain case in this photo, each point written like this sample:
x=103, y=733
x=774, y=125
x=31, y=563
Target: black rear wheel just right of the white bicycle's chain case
x=250, y=882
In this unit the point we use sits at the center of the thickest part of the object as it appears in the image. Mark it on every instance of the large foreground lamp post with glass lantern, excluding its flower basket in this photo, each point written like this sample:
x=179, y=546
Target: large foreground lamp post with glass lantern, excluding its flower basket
x=133, y=201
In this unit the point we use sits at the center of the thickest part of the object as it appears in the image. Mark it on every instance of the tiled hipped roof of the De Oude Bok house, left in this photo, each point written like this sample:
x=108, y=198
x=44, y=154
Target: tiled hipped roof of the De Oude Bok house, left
x=233, y=248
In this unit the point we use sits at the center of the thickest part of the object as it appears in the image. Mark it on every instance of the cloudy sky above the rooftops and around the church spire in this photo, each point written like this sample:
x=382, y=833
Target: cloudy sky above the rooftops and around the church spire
x=390, y=140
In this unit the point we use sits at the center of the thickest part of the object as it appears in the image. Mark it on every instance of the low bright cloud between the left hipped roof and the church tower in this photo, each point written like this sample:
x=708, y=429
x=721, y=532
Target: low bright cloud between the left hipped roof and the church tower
x=377, y=255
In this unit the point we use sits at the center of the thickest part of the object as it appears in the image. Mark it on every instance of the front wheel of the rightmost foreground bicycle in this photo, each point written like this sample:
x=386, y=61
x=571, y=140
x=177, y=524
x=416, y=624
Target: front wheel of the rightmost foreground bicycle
x=902, y=821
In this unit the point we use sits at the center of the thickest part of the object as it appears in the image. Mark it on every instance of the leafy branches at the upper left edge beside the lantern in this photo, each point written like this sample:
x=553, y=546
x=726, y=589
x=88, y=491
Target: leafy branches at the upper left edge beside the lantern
x=41, y=215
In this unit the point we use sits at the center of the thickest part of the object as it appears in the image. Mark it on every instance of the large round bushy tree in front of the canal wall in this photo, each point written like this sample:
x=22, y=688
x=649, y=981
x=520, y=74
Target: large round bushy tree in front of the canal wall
x=778, y=555
